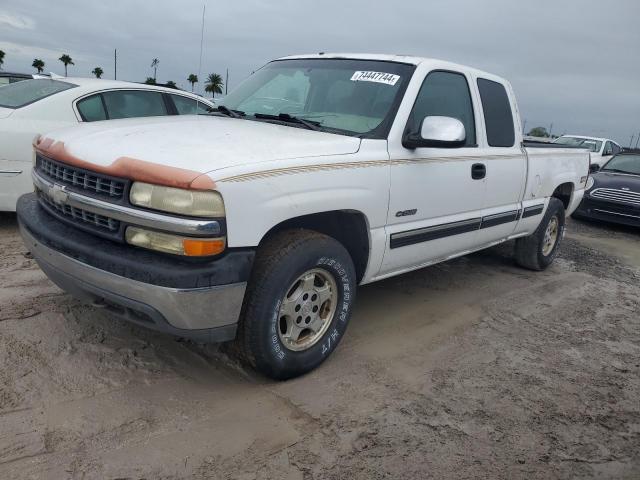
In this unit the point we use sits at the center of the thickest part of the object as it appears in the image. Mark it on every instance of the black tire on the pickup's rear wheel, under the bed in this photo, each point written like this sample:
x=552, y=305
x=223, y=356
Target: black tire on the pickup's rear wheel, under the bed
x=529, y=251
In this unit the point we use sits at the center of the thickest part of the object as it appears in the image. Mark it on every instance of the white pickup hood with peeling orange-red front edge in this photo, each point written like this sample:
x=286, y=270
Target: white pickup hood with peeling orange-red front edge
x=171, y=146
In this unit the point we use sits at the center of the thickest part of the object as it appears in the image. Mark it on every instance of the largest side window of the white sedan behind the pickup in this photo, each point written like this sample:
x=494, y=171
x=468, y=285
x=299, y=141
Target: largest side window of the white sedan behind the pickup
x=134, y=103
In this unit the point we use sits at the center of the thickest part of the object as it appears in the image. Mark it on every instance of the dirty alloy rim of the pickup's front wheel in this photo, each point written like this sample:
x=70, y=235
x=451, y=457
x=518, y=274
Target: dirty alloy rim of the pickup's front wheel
x=307, y=309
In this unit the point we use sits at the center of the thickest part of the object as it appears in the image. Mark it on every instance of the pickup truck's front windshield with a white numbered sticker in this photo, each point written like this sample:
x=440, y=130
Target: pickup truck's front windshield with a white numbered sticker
x=352, y=97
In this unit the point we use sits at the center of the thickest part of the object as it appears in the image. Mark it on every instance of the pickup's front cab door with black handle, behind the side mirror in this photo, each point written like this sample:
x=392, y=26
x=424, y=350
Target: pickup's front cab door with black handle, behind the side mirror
x=435, y=203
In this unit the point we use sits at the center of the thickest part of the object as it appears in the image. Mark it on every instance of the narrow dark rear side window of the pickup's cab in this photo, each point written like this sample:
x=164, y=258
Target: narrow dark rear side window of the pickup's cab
x=497, y=113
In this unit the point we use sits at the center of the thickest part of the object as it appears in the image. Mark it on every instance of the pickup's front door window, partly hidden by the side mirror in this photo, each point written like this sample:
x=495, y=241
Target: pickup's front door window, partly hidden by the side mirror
x=445, y=94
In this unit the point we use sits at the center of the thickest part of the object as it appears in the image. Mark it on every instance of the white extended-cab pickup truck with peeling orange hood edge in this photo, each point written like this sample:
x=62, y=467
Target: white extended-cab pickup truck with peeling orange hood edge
x=317, y=174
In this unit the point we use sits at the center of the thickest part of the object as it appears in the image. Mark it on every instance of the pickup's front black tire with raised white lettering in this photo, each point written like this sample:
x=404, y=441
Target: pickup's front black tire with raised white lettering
x=279, y=262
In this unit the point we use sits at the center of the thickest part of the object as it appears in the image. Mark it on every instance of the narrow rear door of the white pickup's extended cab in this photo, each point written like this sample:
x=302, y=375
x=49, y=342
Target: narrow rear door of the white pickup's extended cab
x=505, y=160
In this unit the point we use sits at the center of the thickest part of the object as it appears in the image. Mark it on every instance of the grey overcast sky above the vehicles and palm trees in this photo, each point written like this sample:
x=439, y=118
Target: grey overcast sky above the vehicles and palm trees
x=575, y=63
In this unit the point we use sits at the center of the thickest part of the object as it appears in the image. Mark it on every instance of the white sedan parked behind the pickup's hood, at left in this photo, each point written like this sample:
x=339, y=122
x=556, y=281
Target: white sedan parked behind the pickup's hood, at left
x=33, y=107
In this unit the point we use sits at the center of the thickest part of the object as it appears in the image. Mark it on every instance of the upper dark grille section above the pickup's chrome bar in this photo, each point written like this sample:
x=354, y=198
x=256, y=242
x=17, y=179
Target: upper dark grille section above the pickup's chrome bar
x=79, y=178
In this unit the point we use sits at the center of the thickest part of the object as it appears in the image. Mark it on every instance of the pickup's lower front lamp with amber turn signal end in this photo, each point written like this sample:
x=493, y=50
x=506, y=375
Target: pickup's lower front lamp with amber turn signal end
x=177, y=245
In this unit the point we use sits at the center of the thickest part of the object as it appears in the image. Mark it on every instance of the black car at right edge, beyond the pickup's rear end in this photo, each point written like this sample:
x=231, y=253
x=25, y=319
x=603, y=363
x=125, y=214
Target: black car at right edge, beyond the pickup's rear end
x=613, y=193
